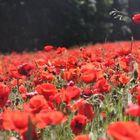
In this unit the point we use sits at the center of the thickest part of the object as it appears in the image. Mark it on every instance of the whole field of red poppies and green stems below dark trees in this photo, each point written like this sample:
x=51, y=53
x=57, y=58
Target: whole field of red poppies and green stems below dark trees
x=84, y=93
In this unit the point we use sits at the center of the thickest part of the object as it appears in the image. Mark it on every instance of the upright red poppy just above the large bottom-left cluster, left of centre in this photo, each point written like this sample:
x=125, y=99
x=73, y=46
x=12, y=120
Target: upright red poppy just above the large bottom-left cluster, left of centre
x=46, y=89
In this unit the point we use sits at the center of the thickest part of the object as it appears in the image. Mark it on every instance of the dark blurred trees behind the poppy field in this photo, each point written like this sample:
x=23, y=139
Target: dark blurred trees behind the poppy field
x=31, y=24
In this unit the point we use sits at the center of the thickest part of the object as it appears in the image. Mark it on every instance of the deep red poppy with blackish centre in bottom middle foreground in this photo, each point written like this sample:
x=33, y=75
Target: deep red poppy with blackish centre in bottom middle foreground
x=78, y=123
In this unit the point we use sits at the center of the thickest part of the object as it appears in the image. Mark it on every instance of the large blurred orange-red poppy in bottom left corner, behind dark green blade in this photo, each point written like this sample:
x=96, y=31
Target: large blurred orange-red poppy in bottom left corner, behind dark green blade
x=19, y=122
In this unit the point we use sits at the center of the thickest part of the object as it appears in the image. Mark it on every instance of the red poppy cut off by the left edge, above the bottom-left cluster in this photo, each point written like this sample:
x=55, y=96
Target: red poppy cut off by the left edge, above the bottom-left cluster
x=4, y=93
